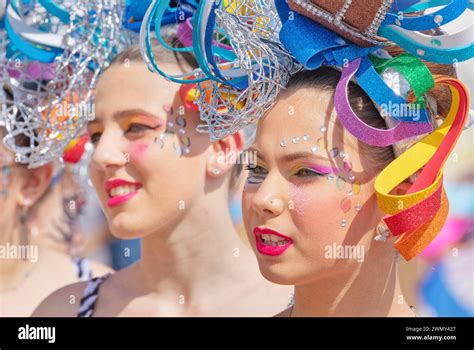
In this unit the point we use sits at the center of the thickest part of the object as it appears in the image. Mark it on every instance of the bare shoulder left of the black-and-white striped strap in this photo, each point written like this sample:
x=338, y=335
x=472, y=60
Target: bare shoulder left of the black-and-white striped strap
x=64, y=302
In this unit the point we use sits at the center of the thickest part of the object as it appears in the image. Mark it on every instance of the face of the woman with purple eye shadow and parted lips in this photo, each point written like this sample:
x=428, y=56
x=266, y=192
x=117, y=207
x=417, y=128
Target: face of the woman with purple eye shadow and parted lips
x=309, y=207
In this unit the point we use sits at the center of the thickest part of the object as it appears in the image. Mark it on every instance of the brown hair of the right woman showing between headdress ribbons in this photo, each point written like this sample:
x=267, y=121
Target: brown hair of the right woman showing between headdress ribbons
x=326, y=79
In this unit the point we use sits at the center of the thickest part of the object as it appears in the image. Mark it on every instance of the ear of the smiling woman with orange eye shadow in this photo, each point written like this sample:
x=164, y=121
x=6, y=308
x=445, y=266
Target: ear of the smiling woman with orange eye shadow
x=225, y=154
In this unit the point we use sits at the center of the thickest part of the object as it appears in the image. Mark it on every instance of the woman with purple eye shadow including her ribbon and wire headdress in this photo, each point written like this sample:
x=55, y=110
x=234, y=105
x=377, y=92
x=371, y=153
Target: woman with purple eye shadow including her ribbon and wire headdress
x=349, y=175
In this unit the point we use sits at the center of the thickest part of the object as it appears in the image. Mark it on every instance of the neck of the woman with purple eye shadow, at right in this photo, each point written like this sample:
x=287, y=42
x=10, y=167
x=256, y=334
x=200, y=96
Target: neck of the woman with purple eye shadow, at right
x=369, y=289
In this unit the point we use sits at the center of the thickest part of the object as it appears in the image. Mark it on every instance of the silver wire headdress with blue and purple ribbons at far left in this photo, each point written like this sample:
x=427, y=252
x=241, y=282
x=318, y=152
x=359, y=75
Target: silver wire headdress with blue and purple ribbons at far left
x=46, y=98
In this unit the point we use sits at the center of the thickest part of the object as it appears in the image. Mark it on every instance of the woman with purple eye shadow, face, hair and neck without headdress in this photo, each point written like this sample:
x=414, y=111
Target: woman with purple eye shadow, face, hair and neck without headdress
x=311, y=209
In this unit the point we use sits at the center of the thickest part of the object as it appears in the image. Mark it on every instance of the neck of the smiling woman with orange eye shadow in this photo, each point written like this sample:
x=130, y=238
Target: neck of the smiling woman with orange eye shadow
x=200, y=251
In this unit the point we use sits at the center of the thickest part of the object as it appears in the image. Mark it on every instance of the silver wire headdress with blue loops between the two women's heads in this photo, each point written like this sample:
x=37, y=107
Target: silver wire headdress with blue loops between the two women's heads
x=243, y=66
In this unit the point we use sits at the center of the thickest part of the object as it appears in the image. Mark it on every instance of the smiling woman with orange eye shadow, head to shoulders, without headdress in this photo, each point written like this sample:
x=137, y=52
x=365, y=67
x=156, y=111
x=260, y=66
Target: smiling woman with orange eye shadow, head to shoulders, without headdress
x=160, y=180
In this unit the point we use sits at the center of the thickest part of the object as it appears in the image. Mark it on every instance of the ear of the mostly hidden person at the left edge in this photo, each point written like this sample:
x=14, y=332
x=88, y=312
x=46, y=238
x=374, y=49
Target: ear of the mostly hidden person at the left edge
x=35, y=185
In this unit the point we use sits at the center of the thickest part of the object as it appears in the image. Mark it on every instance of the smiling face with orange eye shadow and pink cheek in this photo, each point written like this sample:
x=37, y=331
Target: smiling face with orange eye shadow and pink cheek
x=148, y=165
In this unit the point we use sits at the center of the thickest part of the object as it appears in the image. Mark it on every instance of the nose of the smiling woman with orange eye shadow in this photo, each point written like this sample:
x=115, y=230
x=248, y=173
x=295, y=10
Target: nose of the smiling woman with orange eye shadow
x=108, y=152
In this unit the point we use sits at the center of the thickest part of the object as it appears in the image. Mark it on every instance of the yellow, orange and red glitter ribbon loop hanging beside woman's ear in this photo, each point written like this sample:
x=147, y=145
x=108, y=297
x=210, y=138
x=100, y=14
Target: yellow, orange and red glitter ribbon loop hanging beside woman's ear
x=422, y=211
